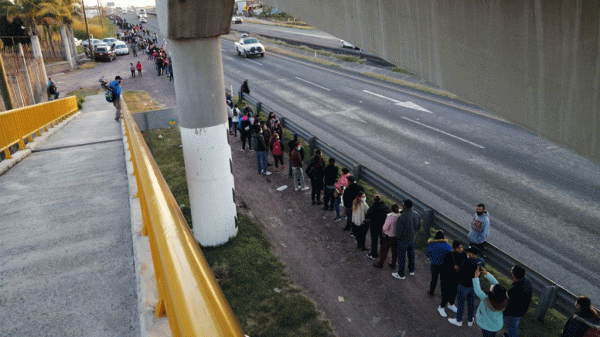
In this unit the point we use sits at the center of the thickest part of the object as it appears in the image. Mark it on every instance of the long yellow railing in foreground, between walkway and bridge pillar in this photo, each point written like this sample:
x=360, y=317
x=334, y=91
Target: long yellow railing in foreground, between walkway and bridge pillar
x=187, y=289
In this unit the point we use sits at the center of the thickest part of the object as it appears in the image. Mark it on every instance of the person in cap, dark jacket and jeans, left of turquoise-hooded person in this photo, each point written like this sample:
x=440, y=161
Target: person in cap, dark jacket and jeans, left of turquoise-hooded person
x=465, y=289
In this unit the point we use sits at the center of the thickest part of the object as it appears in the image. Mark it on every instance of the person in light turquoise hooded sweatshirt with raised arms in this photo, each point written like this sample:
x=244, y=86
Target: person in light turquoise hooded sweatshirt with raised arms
x=489, y=313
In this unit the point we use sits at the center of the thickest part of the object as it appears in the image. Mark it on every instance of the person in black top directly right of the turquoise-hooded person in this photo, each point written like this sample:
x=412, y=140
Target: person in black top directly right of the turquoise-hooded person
x=519, y=298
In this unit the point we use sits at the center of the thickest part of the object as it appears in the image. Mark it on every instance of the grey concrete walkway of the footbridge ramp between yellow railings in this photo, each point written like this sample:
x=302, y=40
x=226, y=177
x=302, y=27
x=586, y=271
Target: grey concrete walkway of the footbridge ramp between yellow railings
x=67, y=261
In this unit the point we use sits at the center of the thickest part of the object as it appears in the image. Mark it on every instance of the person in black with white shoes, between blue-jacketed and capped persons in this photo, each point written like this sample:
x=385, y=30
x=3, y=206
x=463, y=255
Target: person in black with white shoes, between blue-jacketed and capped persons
x=449, y=277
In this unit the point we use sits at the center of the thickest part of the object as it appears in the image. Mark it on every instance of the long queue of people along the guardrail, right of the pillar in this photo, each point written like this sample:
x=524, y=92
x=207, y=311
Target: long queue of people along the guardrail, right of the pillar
x=396, y=228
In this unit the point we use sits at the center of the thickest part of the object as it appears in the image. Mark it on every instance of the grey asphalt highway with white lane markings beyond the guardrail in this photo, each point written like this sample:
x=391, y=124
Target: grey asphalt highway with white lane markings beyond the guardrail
x=544, y=201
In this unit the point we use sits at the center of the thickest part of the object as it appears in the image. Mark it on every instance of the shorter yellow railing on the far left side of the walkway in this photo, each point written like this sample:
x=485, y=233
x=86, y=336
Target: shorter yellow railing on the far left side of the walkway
x=18, y=124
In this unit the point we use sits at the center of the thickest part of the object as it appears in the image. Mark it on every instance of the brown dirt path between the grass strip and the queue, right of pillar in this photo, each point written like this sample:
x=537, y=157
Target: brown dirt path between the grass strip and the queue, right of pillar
x=322, y=259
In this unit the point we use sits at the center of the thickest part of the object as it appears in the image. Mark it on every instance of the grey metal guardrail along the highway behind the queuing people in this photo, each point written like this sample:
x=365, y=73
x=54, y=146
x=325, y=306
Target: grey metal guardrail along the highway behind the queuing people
x=551, y=294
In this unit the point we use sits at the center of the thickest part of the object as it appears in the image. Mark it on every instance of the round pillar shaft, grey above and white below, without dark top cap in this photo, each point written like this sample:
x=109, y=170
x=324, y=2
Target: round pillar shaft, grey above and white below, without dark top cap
x=199, y=87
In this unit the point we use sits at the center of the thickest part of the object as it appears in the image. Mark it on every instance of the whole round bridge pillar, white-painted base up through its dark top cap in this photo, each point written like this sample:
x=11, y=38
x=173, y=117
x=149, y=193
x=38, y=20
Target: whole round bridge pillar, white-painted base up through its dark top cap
x=194, y=28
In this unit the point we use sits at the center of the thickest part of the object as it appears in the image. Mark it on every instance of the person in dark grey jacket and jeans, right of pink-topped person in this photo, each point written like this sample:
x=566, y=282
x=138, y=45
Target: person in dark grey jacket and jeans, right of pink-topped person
x=407, y=227
